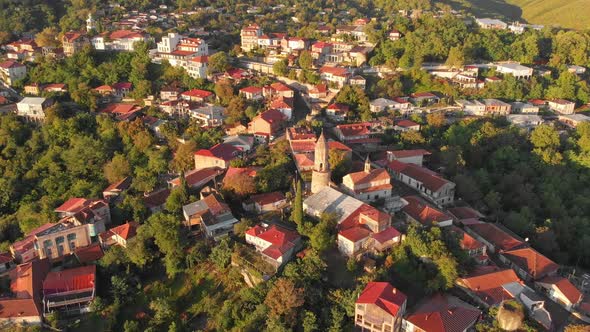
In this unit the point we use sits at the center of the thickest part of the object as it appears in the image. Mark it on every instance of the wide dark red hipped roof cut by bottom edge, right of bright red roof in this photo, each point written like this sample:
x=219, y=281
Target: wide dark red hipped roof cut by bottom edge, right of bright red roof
x=444, y=314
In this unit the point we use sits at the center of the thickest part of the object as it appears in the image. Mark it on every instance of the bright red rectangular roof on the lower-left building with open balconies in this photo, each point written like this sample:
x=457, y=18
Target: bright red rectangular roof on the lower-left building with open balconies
x=79, y=278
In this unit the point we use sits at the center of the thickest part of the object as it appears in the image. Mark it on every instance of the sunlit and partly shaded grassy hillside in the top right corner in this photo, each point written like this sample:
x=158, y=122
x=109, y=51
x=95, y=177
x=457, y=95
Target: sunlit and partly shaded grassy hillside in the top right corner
x=573, y=14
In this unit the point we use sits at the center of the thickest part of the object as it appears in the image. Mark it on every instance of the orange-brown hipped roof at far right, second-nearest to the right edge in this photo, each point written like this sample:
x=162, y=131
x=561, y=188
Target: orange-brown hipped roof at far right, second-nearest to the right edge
x=530, y=260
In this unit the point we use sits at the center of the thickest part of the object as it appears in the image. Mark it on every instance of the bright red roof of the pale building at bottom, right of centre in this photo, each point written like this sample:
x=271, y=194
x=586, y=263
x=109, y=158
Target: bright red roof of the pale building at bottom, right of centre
x=383, y=295
